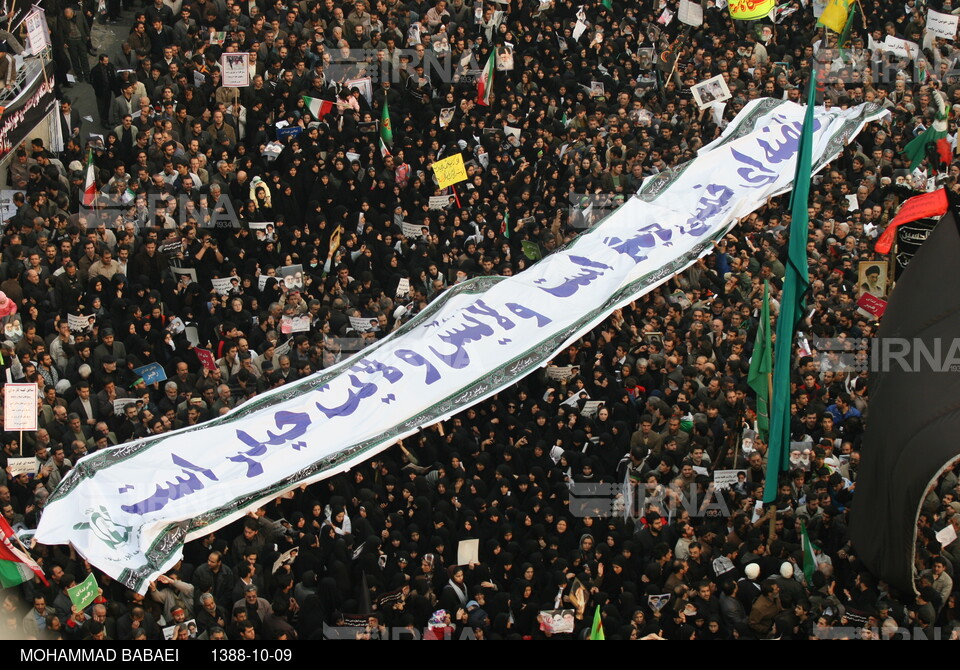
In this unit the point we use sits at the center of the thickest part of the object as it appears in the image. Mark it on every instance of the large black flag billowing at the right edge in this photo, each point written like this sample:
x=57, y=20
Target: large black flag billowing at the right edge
x=911, y=437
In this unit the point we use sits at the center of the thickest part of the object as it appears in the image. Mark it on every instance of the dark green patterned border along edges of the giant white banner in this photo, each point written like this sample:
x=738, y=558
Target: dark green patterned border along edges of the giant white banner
x=162, y=551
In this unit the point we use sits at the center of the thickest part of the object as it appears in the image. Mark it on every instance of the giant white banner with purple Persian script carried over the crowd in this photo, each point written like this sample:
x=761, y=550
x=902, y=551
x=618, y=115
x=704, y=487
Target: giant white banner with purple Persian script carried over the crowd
x=129, y=509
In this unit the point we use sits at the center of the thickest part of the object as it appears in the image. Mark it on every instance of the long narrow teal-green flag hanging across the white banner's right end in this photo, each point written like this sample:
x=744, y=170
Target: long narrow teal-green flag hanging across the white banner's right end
x=791, y=303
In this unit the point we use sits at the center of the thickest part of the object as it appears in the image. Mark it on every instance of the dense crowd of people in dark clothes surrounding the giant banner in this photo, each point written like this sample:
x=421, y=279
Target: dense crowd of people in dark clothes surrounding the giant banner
x=184, y=169
